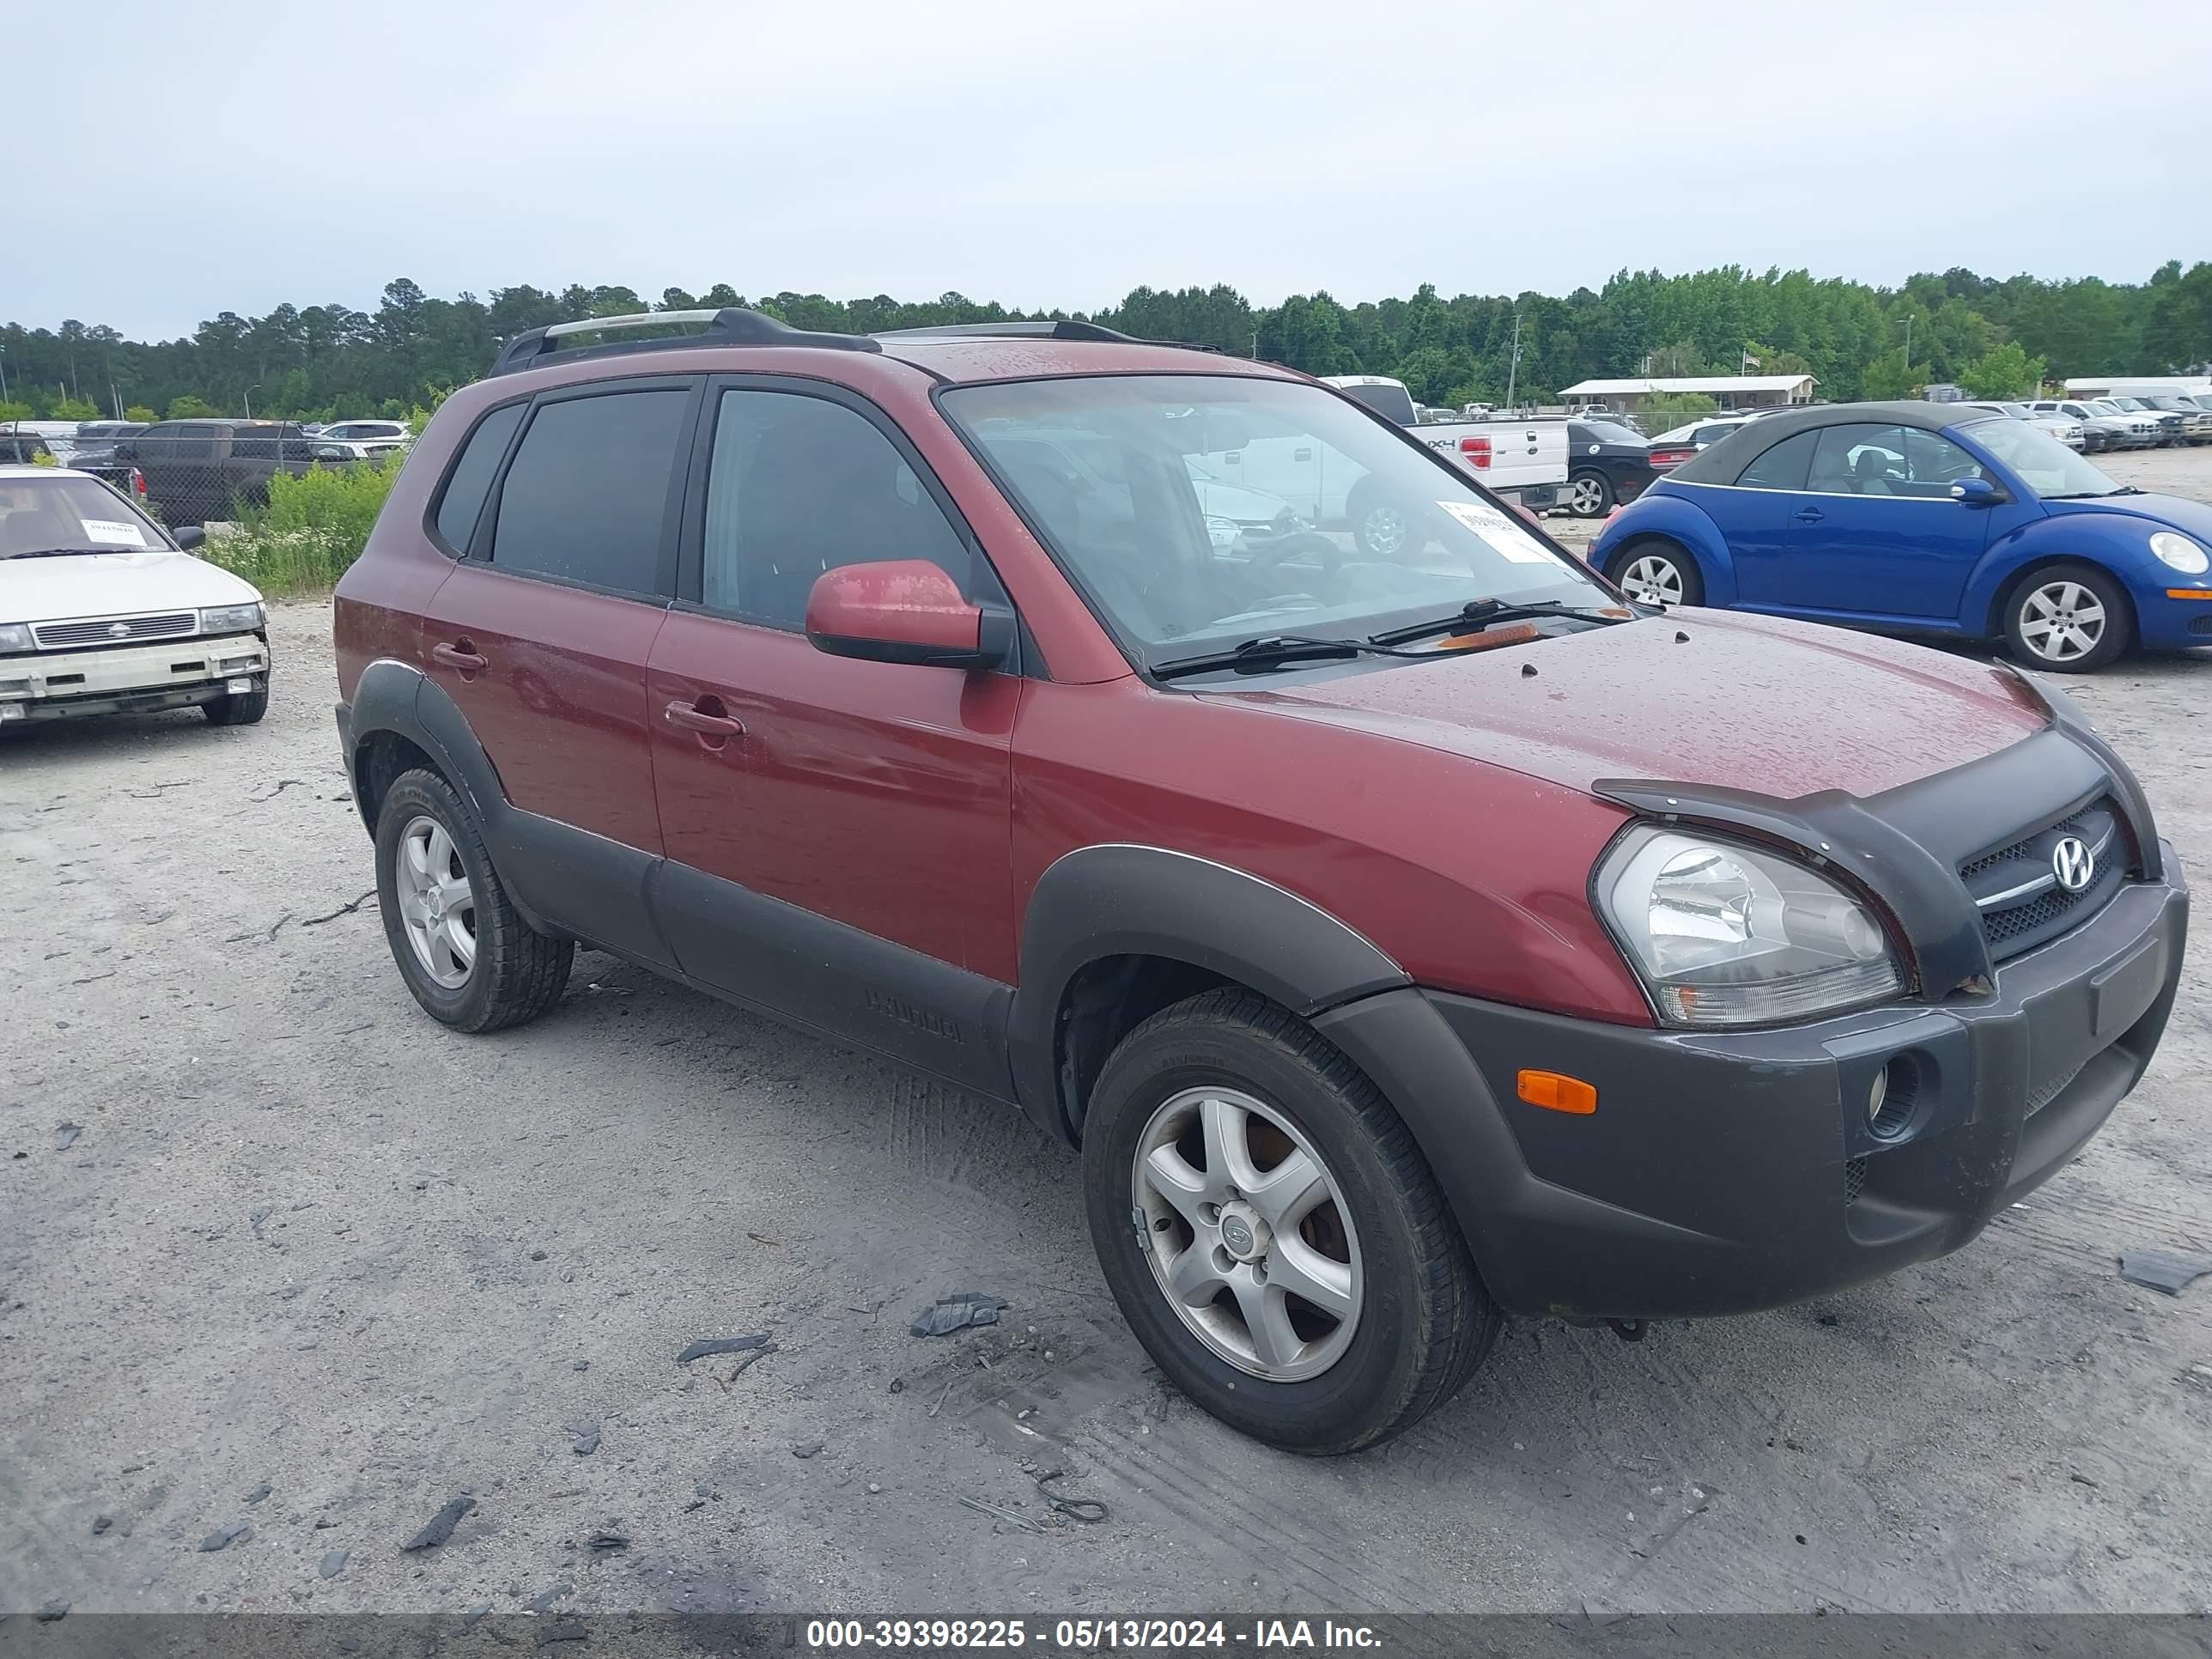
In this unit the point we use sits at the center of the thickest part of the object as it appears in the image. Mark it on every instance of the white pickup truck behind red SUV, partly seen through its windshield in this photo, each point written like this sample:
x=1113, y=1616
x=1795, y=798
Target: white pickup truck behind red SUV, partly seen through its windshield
x=1525, y=461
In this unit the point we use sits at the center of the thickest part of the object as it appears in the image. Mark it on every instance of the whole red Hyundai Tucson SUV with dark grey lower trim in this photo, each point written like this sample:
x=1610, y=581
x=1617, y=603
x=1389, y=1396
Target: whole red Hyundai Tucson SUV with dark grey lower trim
x=1406, y=941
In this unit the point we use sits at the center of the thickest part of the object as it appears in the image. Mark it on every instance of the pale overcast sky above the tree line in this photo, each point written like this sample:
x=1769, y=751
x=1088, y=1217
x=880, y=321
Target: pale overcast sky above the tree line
x=178, y=160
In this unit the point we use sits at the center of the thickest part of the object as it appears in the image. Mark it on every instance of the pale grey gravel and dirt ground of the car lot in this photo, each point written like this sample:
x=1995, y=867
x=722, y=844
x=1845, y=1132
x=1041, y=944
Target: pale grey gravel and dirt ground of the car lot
x=309, y=1244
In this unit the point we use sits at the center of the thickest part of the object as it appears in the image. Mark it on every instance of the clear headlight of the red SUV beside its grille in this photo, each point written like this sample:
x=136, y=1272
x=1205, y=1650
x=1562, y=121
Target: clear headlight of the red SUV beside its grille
x=1731, y=937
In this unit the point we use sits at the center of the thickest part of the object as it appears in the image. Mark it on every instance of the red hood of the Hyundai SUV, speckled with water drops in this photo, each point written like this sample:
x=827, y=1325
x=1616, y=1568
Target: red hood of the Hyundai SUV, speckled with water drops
x=1760, y=705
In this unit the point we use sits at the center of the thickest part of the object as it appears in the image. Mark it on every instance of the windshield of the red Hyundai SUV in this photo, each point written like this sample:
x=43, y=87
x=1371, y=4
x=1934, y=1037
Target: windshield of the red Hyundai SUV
x=1200, y=512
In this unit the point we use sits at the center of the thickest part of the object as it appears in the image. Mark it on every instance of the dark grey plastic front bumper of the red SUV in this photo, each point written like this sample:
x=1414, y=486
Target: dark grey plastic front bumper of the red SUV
x=1738, y=1171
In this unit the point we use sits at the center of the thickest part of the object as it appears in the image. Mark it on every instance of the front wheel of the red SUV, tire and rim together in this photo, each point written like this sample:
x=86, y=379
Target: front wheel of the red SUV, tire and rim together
x=1419, y=1317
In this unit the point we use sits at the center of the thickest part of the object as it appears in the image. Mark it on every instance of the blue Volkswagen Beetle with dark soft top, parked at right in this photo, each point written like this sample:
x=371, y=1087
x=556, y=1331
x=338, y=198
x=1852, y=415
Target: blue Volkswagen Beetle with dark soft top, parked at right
x=1921, y=519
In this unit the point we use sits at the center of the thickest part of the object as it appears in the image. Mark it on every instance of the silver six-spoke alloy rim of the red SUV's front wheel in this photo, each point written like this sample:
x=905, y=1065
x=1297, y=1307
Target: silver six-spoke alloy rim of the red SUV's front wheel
x=1249, y=1235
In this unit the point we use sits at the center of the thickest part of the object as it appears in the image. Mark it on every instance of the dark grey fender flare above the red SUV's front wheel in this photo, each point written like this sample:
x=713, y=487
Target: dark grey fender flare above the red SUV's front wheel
x=1149, y=901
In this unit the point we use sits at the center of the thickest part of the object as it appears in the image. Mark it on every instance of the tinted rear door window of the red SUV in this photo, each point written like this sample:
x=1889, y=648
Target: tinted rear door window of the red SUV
x=587, y=492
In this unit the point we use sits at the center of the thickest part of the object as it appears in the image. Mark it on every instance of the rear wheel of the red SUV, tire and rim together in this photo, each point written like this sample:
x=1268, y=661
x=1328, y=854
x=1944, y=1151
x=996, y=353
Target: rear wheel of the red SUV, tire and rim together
x=510, y=972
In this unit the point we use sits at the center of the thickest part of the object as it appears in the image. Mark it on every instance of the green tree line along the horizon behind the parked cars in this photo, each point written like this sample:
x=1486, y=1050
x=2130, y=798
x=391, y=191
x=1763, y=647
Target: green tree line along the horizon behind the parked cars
x=1999, y=337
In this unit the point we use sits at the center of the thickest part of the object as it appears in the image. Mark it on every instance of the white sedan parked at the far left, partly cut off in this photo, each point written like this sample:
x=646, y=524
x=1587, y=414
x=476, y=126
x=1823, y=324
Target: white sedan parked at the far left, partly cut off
x=105, y=612
